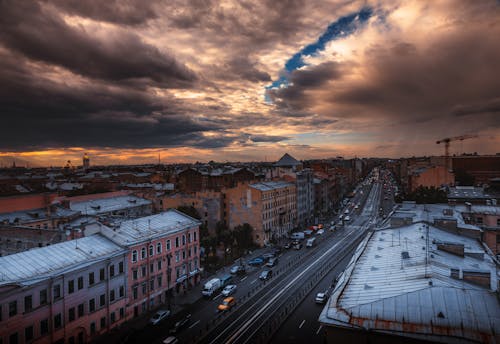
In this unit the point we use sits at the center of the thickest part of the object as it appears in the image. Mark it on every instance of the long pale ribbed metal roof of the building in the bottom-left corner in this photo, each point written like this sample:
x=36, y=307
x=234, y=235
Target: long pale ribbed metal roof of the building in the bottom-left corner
x=28, y=267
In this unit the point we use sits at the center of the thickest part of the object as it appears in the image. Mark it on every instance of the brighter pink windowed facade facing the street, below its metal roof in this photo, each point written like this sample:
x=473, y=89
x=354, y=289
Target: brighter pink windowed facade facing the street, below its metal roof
x=169, y=265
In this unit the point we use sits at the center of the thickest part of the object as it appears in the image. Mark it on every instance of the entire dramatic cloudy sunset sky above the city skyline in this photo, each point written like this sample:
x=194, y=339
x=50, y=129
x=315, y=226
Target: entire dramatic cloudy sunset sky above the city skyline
x=126, y=80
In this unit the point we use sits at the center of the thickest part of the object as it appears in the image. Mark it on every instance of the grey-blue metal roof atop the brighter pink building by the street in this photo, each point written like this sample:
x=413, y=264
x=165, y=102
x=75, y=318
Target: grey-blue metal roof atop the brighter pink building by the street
x=150, y=227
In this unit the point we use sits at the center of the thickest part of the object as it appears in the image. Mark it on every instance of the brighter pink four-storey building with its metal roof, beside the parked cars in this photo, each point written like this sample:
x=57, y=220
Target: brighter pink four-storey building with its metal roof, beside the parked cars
x=163, y=257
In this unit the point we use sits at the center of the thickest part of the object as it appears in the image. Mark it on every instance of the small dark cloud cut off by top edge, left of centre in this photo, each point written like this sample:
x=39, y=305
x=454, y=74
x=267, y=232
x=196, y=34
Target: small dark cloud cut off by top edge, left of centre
x=129, y=12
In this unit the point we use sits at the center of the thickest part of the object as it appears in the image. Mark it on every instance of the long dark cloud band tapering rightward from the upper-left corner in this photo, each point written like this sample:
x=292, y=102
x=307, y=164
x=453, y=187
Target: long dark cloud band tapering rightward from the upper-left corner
x=42, y=35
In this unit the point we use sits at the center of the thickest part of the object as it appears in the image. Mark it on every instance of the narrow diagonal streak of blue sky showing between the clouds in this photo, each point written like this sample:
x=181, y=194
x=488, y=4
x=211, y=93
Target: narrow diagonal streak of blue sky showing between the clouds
x=341, y=28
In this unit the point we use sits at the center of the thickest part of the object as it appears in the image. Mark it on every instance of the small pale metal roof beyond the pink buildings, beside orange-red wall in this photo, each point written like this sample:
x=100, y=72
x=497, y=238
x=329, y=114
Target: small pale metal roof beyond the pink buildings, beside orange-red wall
x=106, y=205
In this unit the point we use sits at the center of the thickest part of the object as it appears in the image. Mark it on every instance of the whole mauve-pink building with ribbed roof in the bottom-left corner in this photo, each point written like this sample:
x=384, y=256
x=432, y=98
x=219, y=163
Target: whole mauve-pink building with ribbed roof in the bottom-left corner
x=64, y=293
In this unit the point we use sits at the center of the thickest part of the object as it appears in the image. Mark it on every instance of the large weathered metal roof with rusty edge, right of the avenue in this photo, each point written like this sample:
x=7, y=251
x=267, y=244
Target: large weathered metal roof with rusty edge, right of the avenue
x=416, y=296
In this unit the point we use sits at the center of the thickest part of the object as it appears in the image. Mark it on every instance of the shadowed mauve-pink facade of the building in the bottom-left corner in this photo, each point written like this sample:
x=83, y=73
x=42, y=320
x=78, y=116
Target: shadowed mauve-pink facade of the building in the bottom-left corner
x=104, y=317
